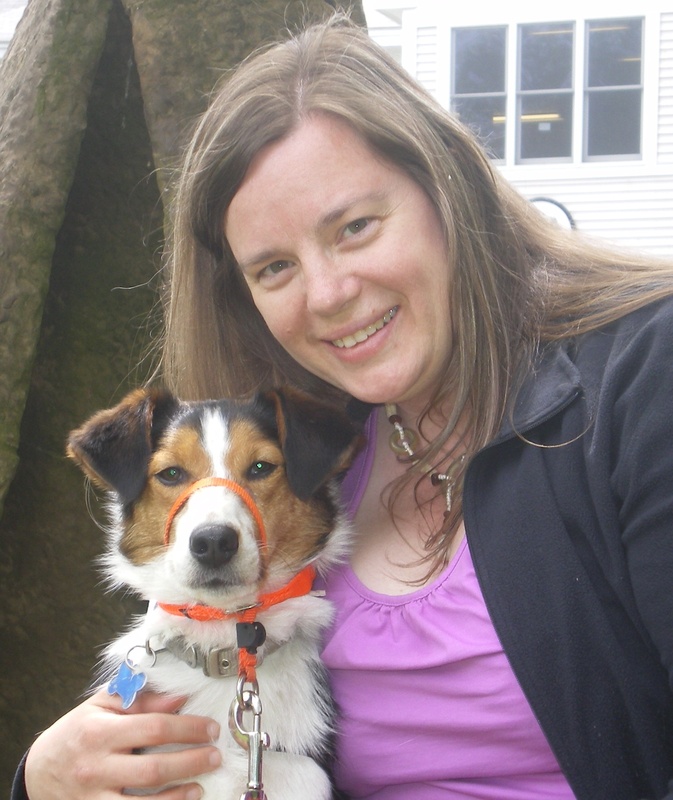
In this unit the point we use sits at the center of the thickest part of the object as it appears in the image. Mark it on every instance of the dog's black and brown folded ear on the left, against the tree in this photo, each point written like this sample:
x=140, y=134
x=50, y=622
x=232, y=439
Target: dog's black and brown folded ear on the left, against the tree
x=113, y=448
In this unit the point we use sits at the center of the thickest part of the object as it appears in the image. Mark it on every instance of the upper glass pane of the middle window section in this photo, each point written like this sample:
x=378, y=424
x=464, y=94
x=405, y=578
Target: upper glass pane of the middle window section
x=546, y=56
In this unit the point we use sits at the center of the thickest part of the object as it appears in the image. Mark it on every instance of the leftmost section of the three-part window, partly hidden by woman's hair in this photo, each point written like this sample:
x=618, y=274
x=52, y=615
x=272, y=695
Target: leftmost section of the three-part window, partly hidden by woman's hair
x=479, y=95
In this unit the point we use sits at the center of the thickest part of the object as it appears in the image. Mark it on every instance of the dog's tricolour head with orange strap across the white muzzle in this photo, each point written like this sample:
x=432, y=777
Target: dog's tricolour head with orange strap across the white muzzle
x=282, y=448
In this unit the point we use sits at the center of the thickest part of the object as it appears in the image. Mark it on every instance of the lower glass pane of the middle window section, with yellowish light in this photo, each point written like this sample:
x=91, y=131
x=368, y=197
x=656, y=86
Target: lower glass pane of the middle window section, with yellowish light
x=545, y=126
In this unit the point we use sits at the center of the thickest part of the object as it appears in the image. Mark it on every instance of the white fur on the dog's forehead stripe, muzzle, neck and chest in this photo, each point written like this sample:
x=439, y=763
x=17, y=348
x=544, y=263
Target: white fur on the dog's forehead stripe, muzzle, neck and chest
x=296, y=712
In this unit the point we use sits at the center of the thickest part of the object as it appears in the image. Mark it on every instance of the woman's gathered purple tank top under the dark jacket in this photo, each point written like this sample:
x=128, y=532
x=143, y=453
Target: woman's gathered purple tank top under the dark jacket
x=429, y=708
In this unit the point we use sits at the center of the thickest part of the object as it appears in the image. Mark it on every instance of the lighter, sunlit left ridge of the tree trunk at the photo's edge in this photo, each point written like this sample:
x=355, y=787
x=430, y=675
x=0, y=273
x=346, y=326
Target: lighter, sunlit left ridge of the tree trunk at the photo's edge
x=44, y=90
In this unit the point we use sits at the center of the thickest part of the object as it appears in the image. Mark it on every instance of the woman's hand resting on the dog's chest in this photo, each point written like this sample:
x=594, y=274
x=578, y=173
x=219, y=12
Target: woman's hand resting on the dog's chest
x=89, y=753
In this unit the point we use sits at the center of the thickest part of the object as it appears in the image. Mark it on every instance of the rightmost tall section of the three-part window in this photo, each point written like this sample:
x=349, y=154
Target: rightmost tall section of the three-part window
x=613, y=98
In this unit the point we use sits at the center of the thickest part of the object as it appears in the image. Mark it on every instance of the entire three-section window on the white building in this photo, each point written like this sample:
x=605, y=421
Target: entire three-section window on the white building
x=547, y=115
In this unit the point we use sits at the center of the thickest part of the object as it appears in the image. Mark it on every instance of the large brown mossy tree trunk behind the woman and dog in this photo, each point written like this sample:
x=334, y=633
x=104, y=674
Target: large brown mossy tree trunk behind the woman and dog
x=96, y=101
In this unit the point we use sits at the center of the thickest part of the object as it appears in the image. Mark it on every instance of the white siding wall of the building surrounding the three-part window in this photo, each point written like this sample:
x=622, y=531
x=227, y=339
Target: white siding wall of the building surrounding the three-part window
x=628, y=202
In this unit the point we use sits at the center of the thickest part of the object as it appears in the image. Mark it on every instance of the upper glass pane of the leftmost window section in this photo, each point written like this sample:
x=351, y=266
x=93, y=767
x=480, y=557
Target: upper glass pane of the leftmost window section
x=479, y=60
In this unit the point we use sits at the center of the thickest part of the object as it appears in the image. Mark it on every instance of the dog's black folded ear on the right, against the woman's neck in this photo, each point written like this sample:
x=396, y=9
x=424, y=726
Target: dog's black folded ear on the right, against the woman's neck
x=318, y=441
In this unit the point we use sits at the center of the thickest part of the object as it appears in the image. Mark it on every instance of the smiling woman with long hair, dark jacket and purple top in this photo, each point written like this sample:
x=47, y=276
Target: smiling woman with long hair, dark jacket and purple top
x=503, y=628
